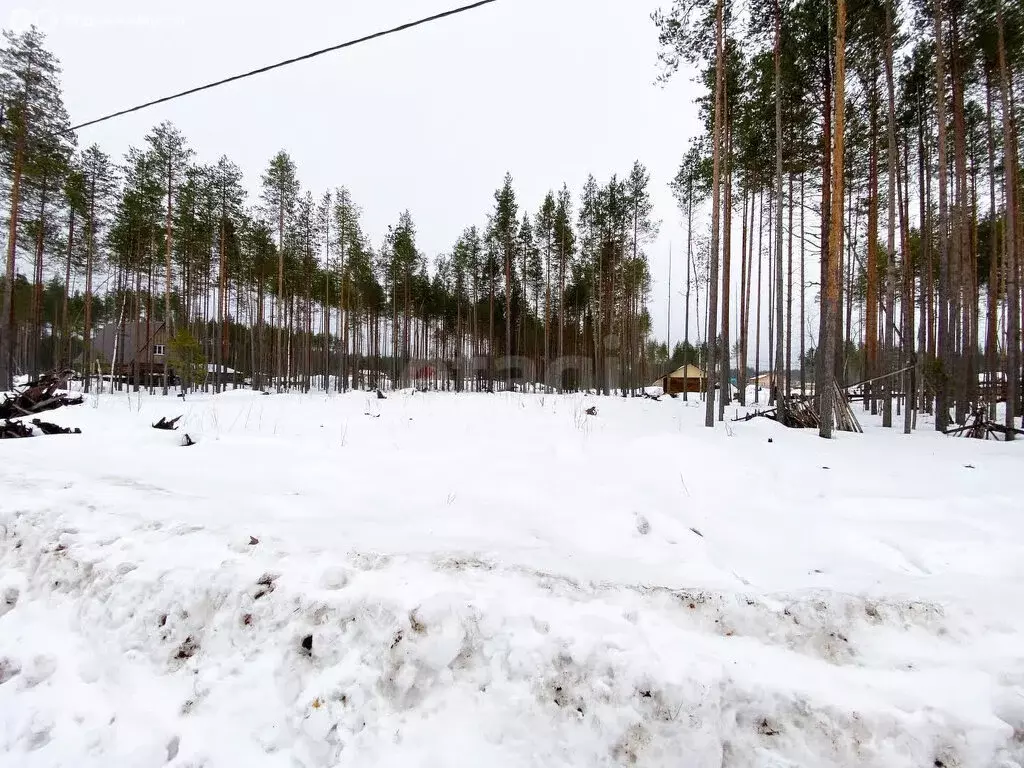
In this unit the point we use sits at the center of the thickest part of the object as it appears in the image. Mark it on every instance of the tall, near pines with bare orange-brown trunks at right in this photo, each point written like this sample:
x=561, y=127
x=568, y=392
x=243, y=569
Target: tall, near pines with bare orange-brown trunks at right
x=879, y=139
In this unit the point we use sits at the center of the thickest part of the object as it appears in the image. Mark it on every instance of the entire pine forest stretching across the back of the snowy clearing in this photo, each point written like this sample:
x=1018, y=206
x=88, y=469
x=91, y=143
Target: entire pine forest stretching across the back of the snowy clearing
x=852, y=209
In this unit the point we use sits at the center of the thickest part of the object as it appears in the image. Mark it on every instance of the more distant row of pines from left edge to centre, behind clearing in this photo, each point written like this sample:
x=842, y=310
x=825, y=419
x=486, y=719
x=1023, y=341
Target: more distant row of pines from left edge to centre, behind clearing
x=287, y=286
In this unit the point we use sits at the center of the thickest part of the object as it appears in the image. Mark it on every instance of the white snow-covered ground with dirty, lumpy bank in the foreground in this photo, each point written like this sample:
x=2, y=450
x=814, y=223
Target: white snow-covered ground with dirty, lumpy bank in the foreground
x=440, y=580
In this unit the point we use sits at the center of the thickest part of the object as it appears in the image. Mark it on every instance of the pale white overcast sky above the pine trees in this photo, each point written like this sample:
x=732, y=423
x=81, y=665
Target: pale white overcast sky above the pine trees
x=430, y=120
